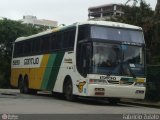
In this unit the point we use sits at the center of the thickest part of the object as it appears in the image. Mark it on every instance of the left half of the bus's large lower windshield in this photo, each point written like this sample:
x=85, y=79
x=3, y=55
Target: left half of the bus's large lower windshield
x=106, y=58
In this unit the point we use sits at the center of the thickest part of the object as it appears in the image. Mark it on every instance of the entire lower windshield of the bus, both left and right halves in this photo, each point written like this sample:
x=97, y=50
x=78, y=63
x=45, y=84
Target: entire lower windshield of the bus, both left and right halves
x=117, y=59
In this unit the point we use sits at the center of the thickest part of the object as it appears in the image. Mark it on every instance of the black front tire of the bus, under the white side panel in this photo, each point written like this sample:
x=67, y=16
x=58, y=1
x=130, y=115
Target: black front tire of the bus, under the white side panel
x=68, y=90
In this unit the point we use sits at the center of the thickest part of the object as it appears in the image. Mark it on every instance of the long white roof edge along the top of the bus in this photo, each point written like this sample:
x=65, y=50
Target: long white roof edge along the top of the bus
x=103, y=23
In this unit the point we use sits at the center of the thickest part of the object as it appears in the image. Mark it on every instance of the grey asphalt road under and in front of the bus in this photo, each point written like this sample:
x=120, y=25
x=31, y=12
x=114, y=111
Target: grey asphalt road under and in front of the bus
x=12, y=102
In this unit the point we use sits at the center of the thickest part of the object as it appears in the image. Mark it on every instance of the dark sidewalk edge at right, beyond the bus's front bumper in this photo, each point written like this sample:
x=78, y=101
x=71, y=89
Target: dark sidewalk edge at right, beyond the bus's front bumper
x=144, y=103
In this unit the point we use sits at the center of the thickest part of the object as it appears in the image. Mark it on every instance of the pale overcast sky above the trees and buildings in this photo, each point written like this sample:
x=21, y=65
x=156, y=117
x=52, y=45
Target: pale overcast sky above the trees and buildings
x=63, y=11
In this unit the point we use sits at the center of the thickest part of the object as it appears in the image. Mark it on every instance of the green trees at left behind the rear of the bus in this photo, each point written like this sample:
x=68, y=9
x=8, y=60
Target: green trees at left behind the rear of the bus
x=9, y=31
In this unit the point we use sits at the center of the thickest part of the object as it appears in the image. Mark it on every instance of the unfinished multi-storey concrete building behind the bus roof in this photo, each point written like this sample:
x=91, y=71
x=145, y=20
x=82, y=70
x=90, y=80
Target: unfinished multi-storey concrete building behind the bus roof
x=104, y=12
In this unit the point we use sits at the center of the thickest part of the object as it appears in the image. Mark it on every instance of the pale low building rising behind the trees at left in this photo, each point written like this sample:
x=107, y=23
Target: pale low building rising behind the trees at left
x=28, y=19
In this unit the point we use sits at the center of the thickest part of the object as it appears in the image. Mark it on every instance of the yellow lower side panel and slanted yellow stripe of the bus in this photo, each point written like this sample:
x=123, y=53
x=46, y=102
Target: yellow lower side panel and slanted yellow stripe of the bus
x=35, y=75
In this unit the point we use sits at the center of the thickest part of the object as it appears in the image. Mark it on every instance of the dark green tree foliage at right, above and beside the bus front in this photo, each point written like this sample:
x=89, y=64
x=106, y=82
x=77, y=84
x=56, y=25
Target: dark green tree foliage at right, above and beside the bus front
x=144, y=17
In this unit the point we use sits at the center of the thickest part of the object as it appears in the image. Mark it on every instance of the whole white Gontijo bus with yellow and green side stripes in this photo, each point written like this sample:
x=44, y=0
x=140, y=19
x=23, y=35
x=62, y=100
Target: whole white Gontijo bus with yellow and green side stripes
x=97, y=59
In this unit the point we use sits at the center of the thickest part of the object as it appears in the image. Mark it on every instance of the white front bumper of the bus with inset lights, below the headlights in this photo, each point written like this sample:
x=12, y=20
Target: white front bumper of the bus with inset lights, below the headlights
x=116, y=91
